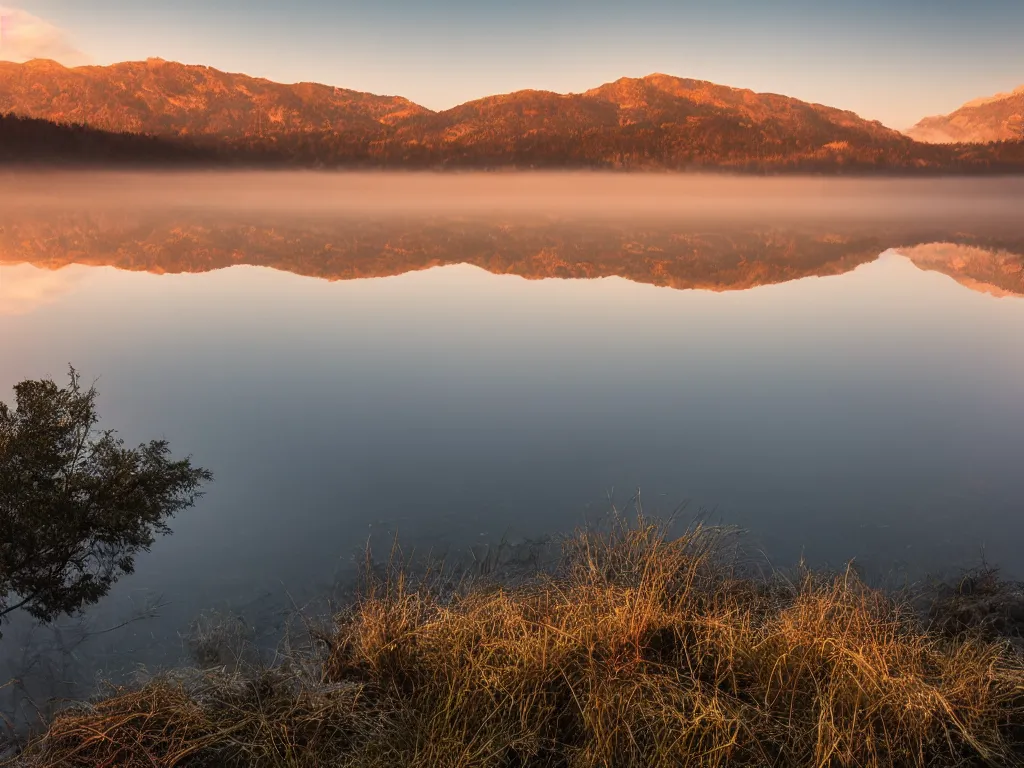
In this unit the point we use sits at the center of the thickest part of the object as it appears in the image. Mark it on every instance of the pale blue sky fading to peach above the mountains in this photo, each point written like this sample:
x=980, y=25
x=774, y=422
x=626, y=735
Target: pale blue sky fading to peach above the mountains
x=893, y=61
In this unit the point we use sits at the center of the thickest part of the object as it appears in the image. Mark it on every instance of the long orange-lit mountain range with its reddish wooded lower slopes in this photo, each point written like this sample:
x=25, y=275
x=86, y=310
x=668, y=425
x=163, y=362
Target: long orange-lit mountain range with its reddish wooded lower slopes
x=653, y=122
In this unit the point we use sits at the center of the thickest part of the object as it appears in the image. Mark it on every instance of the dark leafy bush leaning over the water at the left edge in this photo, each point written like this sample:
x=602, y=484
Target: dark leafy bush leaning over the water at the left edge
x=77, y=505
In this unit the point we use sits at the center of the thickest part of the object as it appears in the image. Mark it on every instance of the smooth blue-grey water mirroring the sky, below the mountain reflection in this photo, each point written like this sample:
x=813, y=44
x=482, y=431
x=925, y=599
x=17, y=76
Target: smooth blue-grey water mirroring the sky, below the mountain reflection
x=873, y=414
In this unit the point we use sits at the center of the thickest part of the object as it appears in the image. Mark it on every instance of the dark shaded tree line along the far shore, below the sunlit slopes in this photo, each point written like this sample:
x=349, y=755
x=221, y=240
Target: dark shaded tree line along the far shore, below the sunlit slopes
x=709, y=143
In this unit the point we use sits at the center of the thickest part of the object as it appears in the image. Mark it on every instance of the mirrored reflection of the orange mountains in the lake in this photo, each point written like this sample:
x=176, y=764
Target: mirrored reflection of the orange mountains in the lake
x=721, y=259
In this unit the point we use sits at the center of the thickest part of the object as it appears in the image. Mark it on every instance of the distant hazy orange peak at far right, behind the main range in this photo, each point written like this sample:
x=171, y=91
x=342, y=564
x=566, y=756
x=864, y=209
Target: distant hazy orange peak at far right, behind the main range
x=999, y=118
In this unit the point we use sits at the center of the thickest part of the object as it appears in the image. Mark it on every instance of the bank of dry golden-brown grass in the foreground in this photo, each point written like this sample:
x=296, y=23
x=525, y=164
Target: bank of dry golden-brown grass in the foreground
x=634, y=650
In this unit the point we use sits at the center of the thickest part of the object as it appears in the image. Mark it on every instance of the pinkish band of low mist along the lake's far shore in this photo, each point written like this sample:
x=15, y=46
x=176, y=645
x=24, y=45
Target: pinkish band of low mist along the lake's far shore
x=585, y=195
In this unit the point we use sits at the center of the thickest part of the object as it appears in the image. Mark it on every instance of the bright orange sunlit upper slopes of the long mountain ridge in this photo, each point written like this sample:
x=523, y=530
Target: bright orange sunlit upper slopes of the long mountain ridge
x=123, y=98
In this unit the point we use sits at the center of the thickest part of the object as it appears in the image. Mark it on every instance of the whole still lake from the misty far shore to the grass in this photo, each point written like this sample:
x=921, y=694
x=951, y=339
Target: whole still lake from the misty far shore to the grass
x=838, y=368
